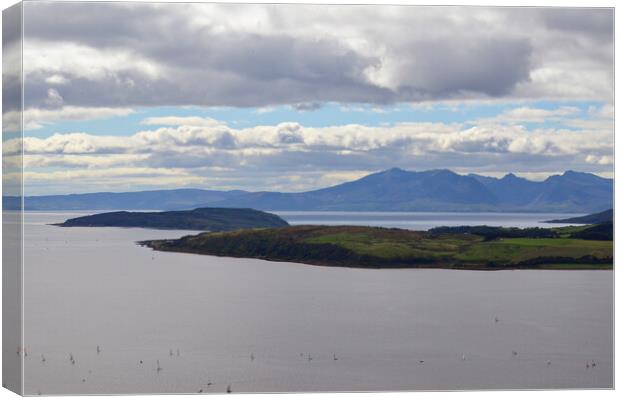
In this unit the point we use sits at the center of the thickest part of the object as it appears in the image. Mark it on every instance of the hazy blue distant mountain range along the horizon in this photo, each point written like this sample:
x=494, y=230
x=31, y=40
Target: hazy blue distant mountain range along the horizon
x=391, y=190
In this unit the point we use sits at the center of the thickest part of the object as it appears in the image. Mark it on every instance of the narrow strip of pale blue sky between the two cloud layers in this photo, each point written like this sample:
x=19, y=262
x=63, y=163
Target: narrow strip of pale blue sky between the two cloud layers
x=329, y=114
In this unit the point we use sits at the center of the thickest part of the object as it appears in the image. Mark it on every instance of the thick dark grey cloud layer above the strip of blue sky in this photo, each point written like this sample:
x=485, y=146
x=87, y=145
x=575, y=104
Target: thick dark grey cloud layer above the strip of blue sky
x=207, y=57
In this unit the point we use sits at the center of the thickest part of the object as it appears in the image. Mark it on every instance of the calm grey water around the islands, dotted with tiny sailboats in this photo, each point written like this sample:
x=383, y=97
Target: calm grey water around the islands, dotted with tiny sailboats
x=94, y=286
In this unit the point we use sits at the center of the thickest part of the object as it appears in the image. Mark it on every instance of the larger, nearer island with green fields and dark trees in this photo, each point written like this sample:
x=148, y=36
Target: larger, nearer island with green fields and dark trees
x=475, y=248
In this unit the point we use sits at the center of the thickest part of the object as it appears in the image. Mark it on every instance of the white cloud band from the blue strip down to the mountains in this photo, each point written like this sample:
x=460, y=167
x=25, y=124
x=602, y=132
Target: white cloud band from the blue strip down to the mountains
x=258, y=158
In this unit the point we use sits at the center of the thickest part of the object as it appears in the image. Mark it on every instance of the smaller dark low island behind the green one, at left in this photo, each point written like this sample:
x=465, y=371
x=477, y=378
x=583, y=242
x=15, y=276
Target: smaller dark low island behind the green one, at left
x=205, y=219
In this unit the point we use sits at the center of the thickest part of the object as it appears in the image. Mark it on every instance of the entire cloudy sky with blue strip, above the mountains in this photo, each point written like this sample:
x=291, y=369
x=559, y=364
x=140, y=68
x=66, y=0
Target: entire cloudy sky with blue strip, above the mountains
x=132, y=96
